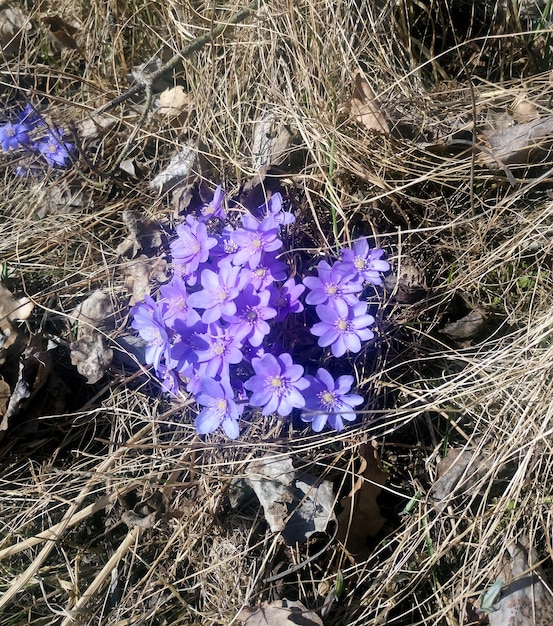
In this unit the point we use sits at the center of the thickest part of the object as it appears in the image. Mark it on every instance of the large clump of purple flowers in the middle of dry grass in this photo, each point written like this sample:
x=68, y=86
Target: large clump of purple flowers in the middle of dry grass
x=214, y=327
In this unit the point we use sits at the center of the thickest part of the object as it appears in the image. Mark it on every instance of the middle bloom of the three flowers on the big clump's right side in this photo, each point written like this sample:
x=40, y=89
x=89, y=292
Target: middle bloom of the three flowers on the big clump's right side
x=332, y=287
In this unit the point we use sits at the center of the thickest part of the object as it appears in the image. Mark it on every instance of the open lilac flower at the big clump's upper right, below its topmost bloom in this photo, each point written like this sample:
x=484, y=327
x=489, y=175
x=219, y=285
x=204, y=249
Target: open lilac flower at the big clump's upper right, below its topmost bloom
x=254, y=239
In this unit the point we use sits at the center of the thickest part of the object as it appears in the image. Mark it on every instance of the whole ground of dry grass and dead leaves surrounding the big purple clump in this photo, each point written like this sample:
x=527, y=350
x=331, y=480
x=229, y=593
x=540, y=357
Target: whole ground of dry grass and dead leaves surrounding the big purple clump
x=425, y=128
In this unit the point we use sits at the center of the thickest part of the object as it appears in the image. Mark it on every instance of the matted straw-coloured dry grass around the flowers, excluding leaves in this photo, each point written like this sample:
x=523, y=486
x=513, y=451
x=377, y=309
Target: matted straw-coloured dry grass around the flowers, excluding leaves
x=65, y=554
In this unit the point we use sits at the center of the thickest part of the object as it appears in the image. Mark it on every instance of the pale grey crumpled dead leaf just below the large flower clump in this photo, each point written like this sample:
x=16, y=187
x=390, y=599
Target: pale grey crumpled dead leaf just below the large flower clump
x=295, y=503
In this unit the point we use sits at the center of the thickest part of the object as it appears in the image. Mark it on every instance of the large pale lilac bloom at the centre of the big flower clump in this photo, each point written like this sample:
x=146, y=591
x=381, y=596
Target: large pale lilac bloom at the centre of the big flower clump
x=219, y=292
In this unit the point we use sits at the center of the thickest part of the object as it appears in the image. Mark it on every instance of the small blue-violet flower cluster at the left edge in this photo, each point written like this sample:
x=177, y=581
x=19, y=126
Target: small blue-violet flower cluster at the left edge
x=29, y=133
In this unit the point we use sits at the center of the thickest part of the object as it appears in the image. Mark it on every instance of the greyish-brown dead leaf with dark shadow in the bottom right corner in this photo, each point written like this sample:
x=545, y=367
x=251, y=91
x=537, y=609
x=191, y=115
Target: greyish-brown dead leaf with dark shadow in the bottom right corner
x=525, y=599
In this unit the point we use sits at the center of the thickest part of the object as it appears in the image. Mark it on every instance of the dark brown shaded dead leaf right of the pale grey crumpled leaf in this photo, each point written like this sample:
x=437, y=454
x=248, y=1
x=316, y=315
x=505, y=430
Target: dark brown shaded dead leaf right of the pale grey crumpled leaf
x=360, y=518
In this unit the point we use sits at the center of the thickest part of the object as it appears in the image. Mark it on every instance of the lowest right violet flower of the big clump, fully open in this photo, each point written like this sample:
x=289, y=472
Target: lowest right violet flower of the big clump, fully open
x=326, y=400
